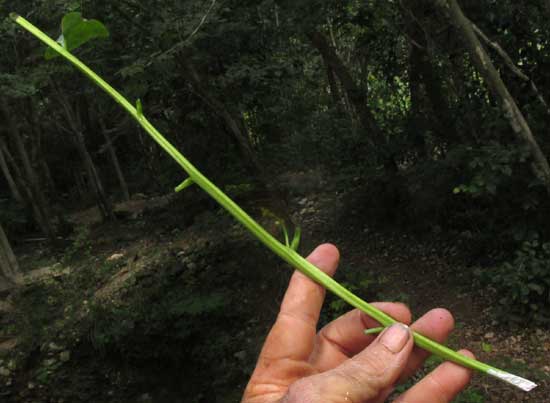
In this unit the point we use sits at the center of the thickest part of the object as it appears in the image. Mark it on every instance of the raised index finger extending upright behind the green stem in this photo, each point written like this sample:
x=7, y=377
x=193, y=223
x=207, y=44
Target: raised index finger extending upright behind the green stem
x=293, y=333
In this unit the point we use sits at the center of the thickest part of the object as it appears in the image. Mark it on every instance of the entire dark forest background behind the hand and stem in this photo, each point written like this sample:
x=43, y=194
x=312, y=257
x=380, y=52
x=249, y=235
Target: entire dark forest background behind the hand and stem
x=413, y=134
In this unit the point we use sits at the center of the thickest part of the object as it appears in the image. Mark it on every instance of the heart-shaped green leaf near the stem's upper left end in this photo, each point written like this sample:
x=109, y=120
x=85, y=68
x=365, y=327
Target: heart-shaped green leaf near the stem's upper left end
x=76, y=31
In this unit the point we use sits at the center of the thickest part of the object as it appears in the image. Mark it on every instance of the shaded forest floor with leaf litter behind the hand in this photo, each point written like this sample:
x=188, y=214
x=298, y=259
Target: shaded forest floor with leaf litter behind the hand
x=84, y=349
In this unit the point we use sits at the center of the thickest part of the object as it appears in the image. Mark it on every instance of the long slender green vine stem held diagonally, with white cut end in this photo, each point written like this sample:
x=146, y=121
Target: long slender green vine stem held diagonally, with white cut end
x=283, y=251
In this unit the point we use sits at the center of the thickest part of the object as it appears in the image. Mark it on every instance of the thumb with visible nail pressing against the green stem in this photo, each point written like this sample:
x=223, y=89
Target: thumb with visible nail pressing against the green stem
x=367, y=376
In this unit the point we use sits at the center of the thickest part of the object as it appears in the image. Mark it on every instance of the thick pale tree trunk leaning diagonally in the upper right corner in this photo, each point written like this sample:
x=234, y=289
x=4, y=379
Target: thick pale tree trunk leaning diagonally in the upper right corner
x=499, y=90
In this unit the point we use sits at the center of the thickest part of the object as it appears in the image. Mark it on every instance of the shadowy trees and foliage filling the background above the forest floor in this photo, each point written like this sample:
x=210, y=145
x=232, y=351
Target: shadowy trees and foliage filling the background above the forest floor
x=395, y=100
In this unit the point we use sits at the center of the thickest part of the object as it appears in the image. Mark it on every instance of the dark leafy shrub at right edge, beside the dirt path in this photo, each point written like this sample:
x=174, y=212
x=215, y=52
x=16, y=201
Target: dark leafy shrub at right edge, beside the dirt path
x=523, y=284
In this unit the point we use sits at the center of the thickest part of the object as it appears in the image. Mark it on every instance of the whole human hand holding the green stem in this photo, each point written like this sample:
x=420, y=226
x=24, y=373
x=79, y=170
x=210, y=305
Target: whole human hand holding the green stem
x=340, y=363
